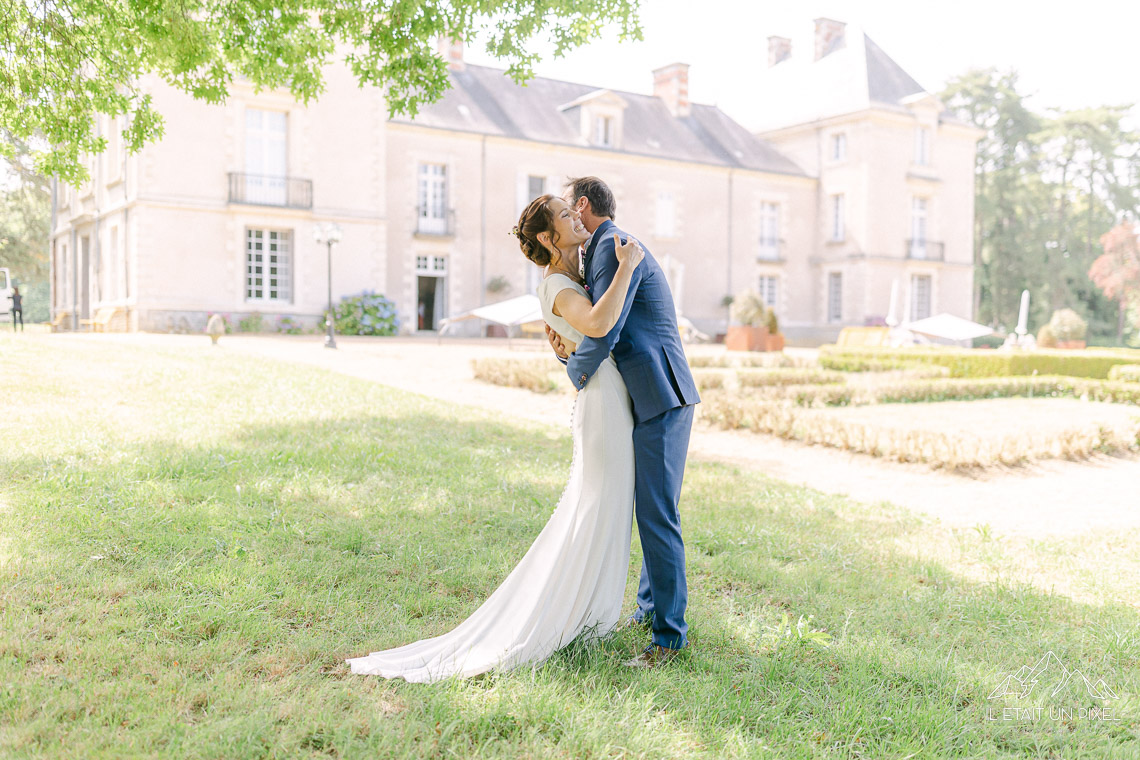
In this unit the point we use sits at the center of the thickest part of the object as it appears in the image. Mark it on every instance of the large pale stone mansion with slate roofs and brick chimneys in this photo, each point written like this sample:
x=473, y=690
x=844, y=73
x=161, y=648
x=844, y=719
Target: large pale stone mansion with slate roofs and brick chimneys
x=858, y=179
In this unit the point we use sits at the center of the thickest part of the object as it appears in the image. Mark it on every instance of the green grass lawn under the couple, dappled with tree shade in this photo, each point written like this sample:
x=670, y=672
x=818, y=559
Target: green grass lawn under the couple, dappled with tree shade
x=192, y=542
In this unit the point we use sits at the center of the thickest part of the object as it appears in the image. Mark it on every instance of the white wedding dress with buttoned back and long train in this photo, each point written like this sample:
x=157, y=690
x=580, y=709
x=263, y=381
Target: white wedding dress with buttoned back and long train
x=573, y=579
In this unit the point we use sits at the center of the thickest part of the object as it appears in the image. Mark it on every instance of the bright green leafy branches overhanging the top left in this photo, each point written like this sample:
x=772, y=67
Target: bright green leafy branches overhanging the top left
x=64, y=62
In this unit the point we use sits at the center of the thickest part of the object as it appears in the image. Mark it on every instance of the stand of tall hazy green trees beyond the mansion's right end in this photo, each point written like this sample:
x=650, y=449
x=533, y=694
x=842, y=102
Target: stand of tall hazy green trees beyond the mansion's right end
x=1046, y=189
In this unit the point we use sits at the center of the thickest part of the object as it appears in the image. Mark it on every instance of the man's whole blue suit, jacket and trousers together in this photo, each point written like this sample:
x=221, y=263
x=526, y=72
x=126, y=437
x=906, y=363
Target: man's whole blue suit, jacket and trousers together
x=646, y=344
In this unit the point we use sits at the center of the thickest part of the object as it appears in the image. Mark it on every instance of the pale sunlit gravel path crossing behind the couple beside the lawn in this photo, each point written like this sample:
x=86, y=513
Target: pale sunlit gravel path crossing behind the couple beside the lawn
x=1049, y=499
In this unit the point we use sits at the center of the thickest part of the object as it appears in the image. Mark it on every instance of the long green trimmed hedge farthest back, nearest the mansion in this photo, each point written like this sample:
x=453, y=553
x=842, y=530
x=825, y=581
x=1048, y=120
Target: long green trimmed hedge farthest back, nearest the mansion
x=966, y=363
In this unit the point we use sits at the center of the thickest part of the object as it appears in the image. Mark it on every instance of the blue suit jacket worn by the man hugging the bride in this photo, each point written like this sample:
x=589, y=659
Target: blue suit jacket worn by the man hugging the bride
x=646, y=341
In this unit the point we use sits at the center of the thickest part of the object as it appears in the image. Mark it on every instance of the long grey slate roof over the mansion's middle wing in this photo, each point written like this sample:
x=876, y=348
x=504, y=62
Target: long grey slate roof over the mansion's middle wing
x=486, y=102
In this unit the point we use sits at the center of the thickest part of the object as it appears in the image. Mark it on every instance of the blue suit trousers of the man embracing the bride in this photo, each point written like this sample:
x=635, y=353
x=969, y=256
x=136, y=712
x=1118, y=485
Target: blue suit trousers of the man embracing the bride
x=661, y=448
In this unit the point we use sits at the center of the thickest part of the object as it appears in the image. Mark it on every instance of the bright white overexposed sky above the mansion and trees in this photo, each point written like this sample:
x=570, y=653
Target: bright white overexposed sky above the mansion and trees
x=1085, y=56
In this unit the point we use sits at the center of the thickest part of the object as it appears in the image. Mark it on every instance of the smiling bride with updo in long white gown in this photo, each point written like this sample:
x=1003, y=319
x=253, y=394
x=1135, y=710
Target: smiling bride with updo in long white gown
x=573, y=579
